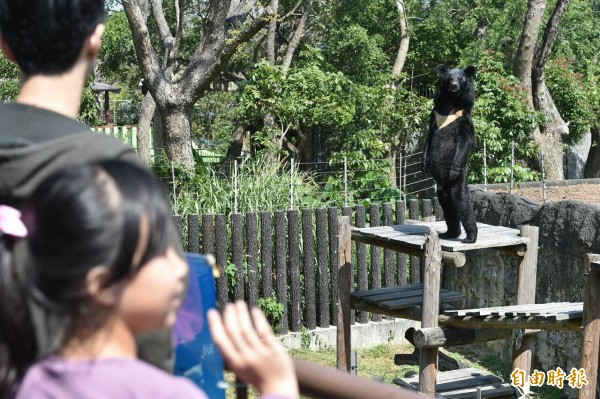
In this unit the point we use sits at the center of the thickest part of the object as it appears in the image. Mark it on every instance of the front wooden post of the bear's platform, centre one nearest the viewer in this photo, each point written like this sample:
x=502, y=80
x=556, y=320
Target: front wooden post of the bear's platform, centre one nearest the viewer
x=431, y=306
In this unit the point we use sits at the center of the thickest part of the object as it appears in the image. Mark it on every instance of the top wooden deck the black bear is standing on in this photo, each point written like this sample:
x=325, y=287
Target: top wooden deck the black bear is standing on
x=410, y=238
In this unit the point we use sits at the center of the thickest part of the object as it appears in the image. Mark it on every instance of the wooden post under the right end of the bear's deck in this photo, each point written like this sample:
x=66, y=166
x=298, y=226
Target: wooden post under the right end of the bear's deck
x=526, y=284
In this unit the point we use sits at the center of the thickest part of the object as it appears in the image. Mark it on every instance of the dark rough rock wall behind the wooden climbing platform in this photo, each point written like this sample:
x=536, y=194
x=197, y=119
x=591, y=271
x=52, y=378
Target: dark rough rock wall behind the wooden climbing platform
x=569, y=230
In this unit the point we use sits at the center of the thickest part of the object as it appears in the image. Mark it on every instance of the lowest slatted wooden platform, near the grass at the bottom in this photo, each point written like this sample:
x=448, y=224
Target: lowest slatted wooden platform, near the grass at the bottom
x=463, y=384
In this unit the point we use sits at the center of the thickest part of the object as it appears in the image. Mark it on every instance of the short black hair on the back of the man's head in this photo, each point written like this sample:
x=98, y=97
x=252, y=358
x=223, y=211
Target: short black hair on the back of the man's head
x=47, y=36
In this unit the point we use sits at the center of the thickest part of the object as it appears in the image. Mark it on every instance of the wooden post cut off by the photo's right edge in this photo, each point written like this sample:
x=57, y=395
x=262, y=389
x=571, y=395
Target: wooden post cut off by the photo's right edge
x=591, y=327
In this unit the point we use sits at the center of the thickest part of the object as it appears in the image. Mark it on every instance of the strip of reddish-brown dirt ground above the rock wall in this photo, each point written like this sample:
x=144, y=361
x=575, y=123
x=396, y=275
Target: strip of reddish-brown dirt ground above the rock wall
x=588, y=193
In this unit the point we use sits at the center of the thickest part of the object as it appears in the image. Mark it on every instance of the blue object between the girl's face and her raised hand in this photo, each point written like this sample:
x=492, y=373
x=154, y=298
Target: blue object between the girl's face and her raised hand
x=196, y=356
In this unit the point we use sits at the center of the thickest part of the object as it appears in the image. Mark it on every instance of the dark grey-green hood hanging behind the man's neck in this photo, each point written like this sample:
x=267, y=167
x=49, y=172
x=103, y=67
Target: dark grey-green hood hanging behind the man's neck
x=36, y=142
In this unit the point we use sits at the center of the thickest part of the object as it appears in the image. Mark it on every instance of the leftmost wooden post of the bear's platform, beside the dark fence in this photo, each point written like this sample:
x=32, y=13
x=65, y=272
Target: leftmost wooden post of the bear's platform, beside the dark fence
x=344, y=289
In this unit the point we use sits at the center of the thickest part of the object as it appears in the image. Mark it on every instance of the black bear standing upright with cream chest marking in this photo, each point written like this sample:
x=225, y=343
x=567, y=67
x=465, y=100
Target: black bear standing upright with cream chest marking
x=449, y=142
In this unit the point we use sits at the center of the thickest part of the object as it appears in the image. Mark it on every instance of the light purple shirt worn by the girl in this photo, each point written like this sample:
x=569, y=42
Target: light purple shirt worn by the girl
x=56, y=378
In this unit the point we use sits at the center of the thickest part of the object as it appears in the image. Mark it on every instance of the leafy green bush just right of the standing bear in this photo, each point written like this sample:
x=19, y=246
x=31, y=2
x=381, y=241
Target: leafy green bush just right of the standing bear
x=501, y=114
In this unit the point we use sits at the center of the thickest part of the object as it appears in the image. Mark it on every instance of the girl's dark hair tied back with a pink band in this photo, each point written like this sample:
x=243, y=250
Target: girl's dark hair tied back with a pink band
x=82, y=216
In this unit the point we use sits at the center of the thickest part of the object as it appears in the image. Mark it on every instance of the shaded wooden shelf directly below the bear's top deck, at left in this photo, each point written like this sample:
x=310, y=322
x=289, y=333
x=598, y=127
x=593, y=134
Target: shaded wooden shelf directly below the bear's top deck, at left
x=400, y=297
